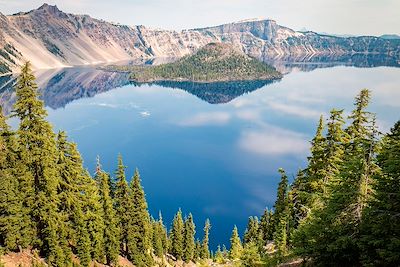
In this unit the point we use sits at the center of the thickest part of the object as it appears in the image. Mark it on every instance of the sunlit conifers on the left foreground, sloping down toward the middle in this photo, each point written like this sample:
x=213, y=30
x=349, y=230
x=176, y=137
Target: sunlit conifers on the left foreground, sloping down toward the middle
x=50, y=203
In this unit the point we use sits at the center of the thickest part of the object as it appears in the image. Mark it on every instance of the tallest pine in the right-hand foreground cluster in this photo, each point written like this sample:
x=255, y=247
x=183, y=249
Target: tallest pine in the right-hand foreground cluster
x=351, y=191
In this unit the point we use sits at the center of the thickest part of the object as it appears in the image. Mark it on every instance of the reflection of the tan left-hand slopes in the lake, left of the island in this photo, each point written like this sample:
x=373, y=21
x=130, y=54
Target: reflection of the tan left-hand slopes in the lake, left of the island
x=64, y=86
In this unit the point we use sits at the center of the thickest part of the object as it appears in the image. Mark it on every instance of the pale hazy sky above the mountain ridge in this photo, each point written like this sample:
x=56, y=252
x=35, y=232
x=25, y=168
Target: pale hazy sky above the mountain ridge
x=356, y=17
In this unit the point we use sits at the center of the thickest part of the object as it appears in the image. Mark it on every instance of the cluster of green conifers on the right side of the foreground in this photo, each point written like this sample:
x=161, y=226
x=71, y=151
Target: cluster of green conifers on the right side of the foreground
x=343, y=209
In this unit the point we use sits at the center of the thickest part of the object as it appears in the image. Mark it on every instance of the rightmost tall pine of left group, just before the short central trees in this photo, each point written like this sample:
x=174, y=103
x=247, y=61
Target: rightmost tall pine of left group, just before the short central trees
x=140, y=229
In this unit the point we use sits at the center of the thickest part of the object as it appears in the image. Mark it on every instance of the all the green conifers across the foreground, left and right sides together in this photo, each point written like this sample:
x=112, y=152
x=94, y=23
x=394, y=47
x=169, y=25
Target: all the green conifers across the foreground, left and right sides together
x=343, y=209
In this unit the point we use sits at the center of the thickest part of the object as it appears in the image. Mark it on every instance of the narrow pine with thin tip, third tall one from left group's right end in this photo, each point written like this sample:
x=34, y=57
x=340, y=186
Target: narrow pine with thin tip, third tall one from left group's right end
x=110, y=236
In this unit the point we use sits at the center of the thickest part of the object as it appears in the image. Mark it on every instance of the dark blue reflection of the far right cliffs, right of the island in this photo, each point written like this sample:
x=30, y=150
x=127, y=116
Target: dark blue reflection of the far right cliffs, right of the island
x=309, y=63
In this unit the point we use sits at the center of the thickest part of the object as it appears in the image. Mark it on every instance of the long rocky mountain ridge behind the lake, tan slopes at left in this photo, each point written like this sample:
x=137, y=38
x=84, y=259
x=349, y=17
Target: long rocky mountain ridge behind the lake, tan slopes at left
x=50, y=38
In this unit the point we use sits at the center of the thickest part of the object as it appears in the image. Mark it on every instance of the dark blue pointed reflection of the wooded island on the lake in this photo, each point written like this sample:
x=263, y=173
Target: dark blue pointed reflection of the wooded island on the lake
x=215, y=93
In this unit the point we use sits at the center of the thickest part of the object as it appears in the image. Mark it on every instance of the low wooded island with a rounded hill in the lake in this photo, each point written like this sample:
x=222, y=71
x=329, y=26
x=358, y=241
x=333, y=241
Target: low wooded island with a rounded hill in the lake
x=215, y=62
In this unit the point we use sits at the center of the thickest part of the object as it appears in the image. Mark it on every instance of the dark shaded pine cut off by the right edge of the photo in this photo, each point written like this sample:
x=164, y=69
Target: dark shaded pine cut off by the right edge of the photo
x=380, y=240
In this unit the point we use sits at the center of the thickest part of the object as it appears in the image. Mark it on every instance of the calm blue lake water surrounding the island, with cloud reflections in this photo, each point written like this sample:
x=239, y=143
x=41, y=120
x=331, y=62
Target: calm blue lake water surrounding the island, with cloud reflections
x=210, y=150
